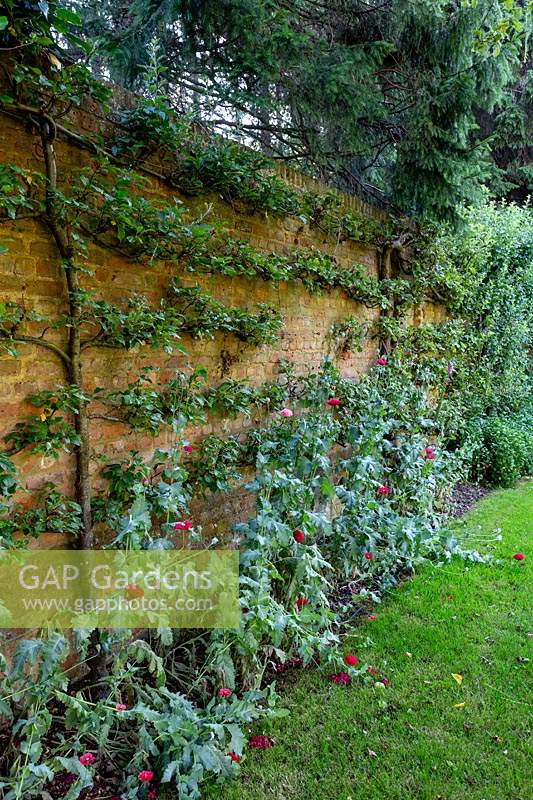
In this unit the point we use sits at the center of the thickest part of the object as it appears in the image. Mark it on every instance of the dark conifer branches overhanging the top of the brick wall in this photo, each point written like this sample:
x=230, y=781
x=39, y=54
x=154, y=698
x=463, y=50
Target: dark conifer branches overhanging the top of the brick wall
x=390, y=100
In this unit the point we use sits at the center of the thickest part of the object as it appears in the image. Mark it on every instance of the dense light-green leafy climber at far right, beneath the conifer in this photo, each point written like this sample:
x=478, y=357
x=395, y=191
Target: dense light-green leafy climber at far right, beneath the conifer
x=478, y=363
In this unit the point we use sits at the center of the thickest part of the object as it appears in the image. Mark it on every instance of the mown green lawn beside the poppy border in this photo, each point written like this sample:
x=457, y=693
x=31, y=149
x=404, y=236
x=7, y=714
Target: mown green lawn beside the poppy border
x=464, y=618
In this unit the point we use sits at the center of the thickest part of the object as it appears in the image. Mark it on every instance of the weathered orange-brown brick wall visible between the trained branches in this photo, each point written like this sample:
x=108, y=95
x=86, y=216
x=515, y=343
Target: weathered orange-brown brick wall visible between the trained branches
x=30, y=273
